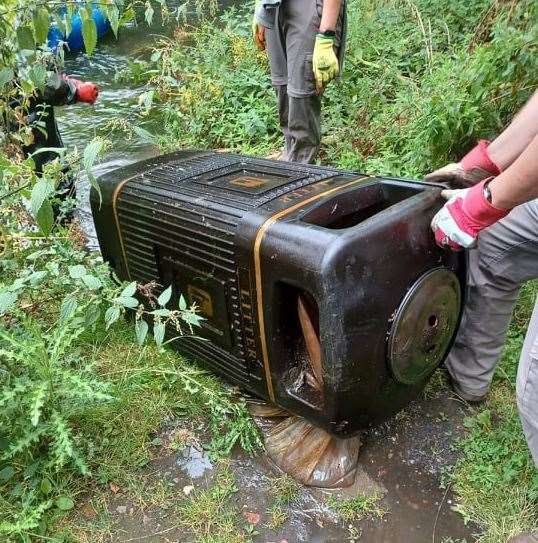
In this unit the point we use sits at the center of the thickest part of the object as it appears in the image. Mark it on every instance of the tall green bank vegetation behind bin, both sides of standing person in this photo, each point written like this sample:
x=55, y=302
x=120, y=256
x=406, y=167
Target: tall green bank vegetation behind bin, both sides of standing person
x=422, y=81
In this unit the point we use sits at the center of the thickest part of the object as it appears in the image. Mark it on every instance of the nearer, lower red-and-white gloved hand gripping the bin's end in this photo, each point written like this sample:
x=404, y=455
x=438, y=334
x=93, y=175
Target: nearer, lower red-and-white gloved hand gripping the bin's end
x=466, y=213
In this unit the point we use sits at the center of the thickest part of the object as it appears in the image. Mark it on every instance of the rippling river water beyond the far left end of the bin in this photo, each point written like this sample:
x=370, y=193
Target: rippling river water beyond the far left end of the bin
x=118, y=97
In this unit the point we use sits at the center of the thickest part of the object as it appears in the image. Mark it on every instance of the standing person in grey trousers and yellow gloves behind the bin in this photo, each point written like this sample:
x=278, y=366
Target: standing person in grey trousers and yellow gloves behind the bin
x=305, y=41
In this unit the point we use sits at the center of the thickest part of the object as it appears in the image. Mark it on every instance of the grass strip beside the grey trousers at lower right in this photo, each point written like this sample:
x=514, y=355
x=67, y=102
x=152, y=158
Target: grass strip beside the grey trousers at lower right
x=495, y=479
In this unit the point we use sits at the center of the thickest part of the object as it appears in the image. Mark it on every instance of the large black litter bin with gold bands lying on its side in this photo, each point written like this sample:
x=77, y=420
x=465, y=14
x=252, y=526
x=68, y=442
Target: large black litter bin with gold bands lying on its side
x=273, y=252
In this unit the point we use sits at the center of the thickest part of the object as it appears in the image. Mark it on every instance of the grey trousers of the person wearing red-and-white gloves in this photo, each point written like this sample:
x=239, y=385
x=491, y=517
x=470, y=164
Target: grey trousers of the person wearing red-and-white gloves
x=506, y=257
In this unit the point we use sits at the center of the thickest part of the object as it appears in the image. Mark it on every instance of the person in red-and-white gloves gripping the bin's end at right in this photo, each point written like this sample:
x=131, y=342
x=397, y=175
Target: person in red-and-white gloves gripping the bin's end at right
x=497, y=217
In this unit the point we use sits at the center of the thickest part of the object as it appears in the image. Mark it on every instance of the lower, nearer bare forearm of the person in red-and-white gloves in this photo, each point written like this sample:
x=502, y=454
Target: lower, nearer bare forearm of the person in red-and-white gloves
x=519, y=182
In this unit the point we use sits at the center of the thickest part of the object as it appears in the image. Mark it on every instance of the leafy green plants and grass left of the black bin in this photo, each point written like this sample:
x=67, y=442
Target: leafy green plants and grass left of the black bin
x=81, y=393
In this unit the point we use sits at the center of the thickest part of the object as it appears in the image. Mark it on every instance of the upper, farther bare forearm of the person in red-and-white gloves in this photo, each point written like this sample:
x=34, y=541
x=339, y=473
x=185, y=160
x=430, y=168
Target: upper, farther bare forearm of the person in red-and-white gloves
x=505, y=149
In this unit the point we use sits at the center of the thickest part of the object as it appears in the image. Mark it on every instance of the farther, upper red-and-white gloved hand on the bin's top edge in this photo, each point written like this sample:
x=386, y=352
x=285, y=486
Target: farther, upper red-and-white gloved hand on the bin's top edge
x=474, y=167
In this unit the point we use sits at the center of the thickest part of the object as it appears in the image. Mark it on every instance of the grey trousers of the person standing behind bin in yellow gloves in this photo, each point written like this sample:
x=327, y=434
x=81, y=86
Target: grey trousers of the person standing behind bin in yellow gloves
x=290, y=45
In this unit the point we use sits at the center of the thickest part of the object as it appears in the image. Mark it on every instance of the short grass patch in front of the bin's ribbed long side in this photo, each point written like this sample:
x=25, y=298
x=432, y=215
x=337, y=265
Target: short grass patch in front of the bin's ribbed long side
x=149, y=388
